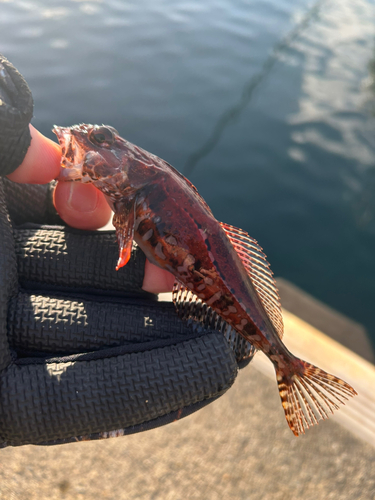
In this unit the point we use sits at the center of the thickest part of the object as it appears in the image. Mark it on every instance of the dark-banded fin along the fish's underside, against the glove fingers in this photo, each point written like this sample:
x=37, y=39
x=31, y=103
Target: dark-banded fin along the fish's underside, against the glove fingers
x=189, y=307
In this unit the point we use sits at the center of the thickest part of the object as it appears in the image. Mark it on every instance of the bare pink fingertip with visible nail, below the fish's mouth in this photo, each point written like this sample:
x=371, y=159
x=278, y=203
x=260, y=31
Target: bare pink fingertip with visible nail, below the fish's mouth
x=81, y=205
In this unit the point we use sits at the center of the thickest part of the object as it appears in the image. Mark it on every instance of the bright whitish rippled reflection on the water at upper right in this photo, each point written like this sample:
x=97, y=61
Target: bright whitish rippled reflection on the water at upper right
x=335, y=57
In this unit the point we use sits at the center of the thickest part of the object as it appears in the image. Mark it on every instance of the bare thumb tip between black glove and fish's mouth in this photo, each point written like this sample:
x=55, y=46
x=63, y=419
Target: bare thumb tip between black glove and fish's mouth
x=41, y=163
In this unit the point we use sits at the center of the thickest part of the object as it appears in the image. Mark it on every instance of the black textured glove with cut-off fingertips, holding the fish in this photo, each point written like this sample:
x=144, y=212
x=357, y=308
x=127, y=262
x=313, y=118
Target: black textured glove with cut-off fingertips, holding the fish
x=84, y=352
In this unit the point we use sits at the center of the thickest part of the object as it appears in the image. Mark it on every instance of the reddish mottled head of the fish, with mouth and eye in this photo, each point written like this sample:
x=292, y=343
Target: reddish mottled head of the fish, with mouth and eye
x=98, y=154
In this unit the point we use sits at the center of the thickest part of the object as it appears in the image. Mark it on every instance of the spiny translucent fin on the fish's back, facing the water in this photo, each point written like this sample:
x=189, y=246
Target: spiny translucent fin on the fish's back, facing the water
x=258, y=269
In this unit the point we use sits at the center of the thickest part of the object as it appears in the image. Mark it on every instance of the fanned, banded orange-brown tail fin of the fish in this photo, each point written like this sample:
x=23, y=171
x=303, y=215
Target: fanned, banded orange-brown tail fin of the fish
x=310, y=395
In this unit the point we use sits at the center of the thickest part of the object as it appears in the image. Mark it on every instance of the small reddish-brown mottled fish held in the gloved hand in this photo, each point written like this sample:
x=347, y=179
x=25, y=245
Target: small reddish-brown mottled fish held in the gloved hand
x=219, y=269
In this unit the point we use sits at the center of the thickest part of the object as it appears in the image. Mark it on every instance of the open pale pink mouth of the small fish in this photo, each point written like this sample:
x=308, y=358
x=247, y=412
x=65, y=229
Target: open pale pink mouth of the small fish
x=73, y=156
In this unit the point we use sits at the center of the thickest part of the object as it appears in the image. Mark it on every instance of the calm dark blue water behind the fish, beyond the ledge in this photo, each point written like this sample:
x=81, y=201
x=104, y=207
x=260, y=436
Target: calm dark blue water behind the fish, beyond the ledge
x=268, y=106
